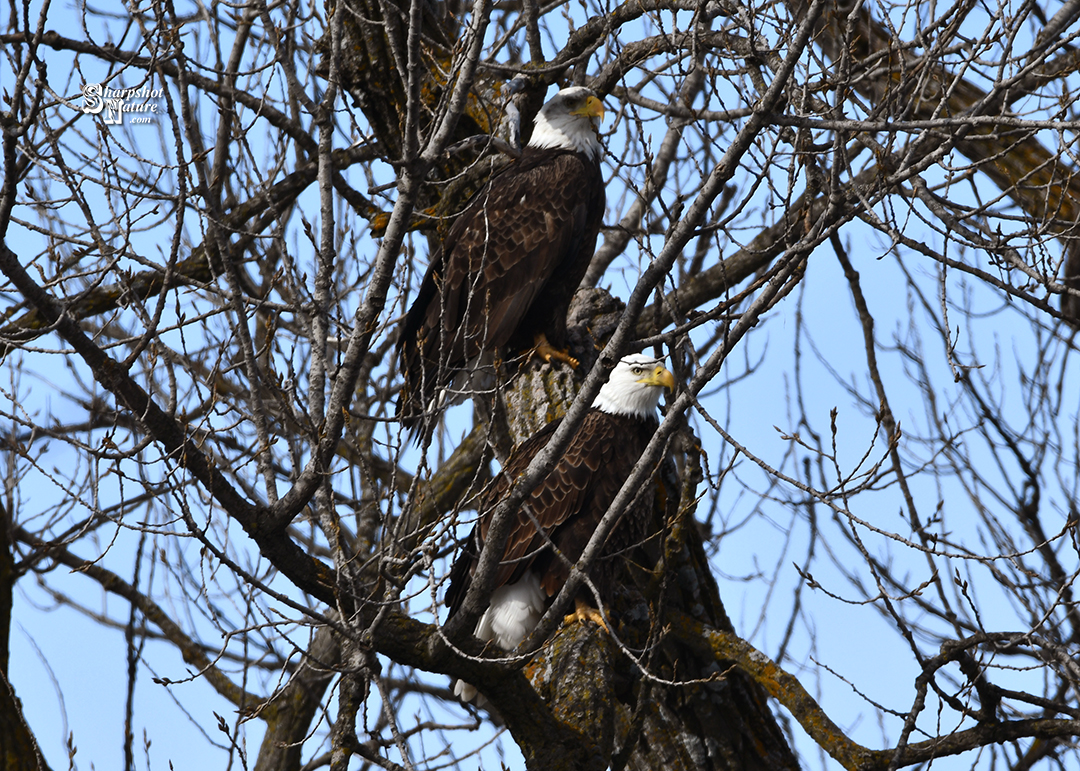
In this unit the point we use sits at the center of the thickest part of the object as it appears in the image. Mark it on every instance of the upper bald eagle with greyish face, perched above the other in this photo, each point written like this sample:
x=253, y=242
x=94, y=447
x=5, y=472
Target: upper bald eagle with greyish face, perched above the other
x=507, y=272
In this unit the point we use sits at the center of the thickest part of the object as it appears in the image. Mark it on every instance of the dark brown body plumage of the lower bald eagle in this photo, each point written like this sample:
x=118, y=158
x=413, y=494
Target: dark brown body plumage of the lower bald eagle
x=569, y=506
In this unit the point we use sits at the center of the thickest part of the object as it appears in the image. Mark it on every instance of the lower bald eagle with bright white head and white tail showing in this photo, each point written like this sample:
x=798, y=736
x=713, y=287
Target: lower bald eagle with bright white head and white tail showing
x=568, y=505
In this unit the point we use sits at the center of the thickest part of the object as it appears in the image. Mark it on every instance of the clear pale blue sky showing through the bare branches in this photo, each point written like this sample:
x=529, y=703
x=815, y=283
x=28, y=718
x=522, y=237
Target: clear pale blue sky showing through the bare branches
x=809, y=346
